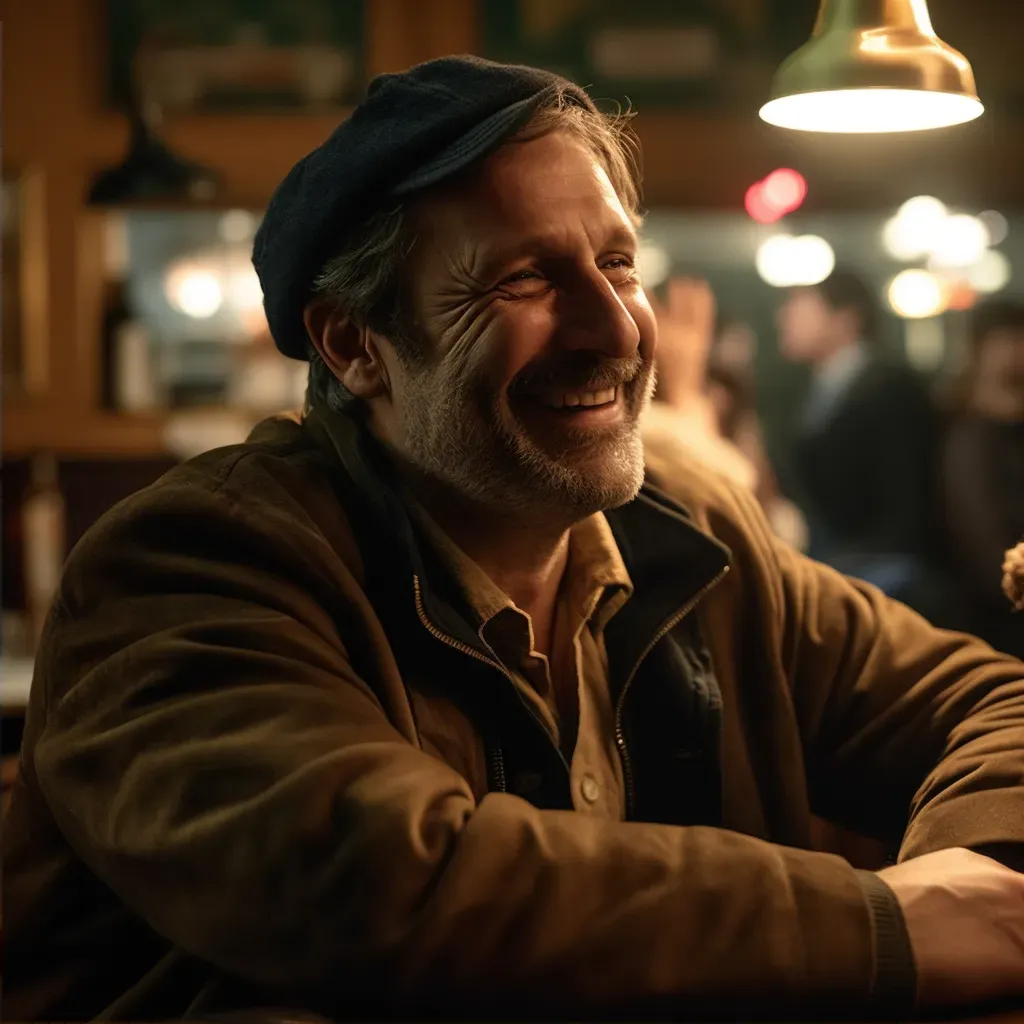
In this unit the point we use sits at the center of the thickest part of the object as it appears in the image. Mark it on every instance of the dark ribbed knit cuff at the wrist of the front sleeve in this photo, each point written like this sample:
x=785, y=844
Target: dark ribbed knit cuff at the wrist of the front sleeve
x=895, y=983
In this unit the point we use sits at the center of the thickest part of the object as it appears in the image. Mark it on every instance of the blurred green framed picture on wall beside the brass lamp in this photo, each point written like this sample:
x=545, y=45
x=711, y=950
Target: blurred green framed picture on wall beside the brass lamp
x=694, y=54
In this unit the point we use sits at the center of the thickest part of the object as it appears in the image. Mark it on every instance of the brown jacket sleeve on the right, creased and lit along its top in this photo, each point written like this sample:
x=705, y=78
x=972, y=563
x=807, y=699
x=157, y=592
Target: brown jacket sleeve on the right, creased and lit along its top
x=913, y=735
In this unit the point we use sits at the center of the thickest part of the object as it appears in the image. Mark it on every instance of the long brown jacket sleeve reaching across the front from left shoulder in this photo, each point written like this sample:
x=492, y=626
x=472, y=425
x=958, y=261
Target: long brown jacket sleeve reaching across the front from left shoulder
x=208, y=749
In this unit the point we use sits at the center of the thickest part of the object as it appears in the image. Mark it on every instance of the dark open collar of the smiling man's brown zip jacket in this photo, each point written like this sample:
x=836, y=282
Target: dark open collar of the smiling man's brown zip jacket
x=669, y=559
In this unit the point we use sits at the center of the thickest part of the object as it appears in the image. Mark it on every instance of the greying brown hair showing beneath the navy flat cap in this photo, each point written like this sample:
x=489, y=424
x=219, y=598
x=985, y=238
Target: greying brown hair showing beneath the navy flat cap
x=365, y=280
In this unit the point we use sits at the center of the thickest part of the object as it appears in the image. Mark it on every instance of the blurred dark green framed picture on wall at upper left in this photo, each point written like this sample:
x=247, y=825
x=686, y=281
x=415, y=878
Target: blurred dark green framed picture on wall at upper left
x=236, y=56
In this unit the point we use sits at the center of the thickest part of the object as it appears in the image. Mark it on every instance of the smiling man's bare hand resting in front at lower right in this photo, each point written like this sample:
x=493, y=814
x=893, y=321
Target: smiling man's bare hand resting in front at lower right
x=965, y=916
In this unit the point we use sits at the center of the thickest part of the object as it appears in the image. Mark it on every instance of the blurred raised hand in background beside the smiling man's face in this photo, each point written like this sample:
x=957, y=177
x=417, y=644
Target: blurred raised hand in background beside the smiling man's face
x=686, y=331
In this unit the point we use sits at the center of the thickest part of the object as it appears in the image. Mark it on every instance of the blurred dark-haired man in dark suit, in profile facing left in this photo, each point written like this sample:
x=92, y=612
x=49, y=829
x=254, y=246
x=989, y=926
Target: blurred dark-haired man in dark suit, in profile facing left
x=866, y=452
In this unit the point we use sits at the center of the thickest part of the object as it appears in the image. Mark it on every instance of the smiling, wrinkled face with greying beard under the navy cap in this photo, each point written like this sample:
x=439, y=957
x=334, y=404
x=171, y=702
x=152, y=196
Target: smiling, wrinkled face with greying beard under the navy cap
x=540, y=339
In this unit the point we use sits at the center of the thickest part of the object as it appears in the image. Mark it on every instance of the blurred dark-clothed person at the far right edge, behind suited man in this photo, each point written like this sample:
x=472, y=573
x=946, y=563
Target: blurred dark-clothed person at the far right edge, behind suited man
x=983, y=470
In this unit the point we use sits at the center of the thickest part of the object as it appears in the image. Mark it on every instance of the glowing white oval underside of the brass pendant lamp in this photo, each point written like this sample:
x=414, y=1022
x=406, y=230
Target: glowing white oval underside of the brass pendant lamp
x=861, y=111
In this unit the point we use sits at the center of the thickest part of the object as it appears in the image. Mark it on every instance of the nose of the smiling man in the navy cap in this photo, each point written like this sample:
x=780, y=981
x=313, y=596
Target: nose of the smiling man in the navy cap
x=595, y=319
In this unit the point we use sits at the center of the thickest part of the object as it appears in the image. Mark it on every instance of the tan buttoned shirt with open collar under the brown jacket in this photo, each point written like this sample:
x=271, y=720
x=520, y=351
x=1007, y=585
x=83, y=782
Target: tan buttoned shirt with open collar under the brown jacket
x=569, y=691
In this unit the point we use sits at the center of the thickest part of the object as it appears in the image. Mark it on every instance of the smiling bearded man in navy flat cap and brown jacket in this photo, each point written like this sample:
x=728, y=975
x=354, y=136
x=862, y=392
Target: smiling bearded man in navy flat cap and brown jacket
x=424, y=707
